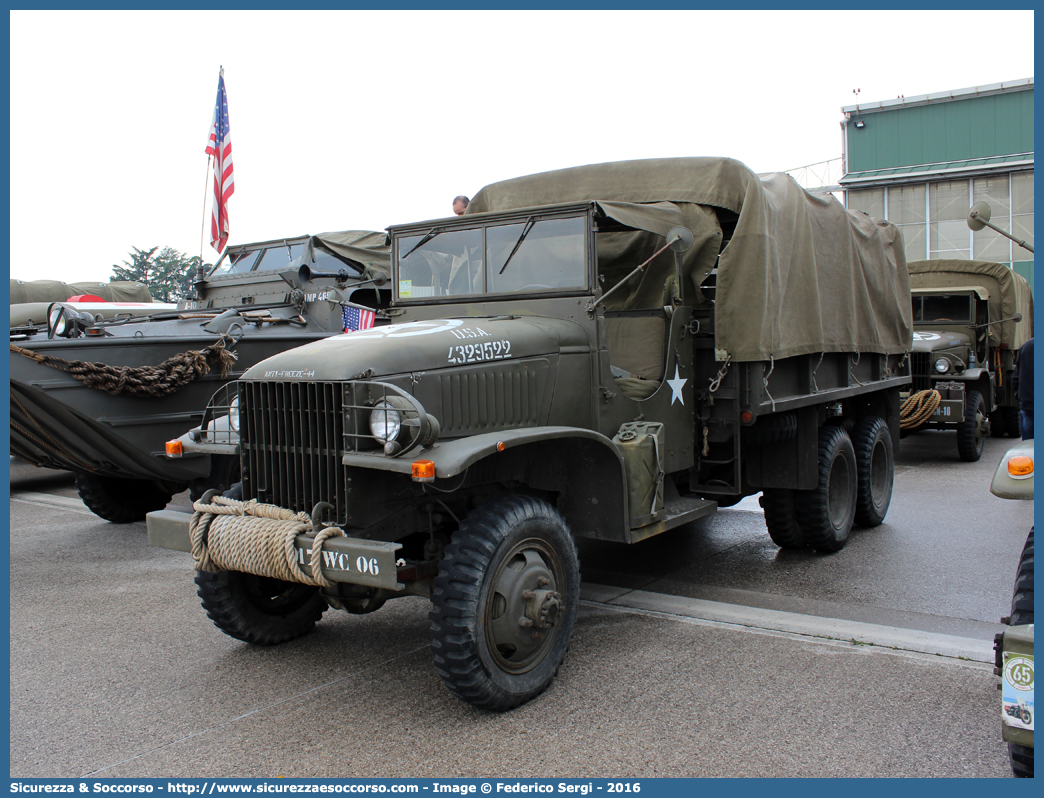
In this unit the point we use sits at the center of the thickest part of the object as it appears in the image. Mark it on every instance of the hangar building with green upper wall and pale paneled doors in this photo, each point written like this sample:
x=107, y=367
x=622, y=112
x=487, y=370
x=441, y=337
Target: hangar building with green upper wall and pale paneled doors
x=922, y=162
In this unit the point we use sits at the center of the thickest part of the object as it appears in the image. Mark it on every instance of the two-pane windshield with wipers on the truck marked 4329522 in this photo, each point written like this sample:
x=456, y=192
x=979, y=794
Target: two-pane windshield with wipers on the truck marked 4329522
x=534, y=255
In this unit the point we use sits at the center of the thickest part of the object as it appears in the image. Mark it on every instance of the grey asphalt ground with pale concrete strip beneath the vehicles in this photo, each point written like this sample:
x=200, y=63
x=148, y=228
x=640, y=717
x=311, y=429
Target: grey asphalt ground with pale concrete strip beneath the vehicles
x=706, y=652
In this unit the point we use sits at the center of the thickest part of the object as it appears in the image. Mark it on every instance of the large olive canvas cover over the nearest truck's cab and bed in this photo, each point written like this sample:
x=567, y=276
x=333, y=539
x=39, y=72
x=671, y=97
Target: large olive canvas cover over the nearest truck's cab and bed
x=799, y=275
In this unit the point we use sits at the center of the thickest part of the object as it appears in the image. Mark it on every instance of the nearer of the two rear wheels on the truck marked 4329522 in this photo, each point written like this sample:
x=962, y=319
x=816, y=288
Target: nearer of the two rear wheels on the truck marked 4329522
x=827, y=512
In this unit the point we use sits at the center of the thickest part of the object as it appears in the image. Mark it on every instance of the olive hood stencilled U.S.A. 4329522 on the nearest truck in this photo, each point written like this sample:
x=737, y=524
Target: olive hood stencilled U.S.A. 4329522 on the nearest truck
x=422, y=346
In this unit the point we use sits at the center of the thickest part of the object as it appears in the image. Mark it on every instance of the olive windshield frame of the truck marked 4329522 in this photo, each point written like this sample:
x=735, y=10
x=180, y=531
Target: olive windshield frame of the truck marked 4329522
x=485, y=222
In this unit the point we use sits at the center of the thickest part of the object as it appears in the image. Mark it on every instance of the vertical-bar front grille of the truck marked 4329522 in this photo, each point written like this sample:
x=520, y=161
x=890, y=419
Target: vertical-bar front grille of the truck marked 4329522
x=292, y=441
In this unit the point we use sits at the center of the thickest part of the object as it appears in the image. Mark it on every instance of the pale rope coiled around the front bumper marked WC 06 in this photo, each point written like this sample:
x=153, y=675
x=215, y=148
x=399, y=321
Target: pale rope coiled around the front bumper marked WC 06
x=254, y=538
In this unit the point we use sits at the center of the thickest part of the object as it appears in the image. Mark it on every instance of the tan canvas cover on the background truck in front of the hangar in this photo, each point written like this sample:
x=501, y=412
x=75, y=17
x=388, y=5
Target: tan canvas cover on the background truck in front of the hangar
x=1009, y=293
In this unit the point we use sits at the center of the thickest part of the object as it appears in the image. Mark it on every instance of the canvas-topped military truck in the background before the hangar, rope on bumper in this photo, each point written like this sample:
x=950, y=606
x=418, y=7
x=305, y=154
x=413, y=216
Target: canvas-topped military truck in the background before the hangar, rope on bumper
x=970, y=318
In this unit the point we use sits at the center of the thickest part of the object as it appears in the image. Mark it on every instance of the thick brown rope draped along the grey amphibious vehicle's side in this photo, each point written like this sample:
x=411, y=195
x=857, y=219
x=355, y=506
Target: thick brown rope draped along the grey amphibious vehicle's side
x=165, y=379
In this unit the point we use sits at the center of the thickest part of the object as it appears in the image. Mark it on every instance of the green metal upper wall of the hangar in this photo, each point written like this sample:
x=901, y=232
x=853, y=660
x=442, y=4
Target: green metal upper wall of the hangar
x=957, y=131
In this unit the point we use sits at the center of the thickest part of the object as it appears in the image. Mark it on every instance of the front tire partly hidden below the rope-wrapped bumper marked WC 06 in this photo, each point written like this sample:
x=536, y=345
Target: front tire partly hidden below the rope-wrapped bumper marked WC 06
x=259, y=611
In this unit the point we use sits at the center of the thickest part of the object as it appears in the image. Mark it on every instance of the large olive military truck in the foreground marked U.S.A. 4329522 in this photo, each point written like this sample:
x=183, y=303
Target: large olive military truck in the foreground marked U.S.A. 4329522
x=608, y=353
